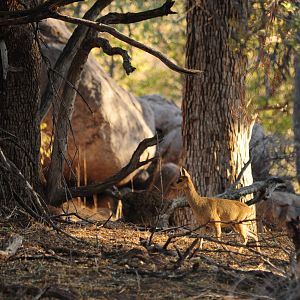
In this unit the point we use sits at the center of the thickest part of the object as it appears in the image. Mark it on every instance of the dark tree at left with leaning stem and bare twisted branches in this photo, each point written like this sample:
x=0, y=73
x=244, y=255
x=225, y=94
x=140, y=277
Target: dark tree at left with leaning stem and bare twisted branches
x=22, y=107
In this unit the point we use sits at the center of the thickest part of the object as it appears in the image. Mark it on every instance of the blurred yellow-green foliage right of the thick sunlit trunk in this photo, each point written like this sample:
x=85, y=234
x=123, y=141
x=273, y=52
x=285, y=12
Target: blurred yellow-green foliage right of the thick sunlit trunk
x=271, y=46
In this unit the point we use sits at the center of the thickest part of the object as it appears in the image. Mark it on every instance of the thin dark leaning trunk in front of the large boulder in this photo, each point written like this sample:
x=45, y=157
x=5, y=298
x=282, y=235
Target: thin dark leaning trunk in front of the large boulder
x=64, y=111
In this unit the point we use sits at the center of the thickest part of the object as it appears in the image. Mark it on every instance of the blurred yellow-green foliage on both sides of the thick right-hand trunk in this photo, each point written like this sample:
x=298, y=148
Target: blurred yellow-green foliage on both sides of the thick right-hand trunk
x=269, y=43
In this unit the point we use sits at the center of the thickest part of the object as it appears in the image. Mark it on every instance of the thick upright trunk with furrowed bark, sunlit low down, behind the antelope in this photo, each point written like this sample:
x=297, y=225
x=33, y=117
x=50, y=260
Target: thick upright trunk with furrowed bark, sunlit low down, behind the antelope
x=216, y=121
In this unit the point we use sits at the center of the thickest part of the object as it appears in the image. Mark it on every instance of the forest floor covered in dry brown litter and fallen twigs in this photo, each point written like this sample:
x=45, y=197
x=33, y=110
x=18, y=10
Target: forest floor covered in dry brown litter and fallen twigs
x=113, y=262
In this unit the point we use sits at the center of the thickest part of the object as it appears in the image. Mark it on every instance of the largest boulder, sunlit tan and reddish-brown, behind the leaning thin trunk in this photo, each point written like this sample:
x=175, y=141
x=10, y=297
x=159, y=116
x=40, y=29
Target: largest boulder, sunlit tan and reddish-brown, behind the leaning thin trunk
x=118, y=123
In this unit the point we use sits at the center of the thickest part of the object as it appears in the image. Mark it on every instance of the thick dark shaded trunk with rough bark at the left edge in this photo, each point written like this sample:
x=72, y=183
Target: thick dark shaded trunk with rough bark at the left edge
x=19, y=104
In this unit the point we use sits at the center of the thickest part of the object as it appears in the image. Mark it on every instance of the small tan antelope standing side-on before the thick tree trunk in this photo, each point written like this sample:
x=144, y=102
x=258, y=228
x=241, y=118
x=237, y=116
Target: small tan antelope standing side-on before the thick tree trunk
x=216, y=212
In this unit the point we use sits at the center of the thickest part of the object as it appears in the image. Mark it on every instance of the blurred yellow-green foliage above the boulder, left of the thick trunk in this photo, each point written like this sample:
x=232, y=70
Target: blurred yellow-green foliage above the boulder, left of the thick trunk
x=166, y=34
